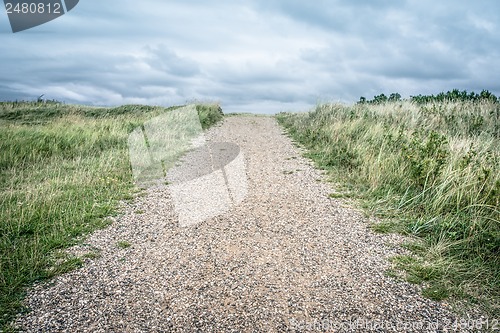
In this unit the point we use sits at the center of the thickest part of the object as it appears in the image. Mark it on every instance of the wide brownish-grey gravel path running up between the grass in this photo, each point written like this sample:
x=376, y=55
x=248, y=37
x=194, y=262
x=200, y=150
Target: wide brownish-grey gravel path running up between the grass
x=285, y=259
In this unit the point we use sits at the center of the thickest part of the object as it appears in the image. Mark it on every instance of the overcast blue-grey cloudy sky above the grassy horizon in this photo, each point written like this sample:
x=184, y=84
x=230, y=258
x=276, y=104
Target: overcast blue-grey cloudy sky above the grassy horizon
x=261, y=56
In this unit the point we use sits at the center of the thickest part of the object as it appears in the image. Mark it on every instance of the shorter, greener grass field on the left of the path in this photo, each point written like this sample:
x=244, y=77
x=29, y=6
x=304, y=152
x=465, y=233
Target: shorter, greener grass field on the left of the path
x=63, y=169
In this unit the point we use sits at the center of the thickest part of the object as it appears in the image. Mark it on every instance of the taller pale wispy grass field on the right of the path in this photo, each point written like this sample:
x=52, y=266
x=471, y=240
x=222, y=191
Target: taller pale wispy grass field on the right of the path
x=428, y=170
